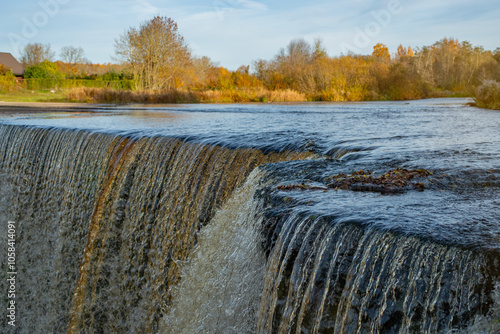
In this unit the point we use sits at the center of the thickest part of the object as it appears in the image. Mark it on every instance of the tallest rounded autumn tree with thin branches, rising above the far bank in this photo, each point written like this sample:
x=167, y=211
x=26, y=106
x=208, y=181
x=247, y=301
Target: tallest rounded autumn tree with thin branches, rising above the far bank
x=155, y=52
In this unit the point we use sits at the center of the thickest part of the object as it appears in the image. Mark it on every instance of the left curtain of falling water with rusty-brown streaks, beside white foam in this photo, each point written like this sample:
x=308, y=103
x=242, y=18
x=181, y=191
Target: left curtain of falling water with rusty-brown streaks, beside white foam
x=103, y=220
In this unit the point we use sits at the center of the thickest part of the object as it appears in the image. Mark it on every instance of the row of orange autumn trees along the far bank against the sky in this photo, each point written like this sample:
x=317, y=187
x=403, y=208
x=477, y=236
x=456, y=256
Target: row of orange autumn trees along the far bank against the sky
x=155, y=56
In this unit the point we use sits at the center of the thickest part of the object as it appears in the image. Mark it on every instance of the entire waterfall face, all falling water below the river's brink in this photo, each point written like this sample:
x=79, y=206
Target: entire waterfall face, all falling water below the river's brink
x=128, y=234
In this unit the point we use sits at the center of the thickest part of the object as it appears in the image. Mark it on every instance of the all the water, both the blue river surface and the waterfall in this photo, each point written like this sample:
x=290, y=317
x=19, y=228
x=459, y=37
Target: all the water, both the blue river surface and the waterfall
x=214, y=225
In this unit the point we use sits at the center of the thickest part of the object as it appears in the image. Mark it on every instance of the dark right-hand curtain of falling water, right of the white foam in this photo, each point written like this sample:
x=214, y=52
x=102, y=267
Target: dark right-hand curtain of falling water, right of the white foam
x=328, y=276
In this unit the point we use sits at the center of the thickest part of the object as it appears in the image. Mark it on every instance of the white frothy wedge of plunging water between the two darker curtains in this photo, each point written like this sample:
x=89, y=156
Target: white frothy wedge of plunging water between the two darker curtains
x=222, y=282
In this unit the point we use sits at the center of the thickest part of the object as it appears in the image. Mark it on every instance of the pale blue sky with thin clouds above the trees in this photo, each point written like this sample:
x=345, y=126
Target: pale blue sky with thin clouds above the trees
x=238, y=32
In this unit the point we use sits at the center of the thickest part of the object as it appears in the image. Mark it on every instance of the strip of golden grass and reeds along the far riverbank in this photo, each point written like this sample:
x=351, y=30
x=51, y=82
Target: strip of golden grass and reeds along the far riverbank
x=485, y=96
